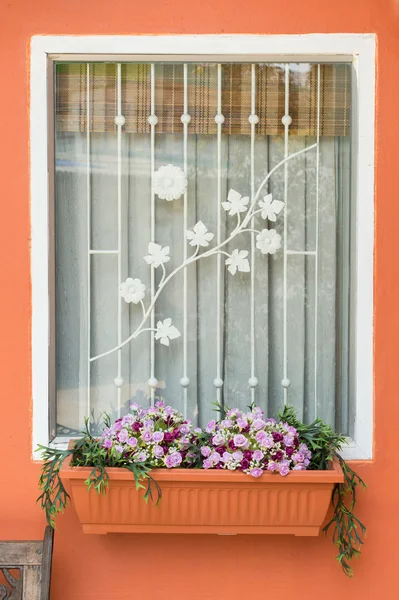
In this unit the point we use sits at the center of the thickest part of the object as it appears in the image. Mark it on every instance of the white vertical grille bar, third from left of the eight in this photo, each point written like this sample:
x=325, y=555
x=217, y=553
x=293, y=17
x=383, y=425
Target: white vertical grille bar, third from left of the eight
x=153, y=123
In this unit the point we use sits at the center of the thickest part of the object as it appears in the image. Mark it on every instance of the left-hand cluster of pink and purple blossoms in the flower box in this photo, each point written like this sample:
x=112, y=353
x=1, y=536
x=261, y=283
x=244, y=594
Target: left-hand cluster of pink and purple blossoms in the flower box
x=158, y=436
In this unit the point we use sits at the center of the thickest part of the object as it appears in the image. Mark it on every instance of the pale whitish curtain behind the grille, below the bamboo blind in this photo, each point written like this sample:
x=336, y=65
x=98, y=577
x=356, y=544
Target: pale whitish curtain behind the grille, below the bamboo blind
x=71, y=266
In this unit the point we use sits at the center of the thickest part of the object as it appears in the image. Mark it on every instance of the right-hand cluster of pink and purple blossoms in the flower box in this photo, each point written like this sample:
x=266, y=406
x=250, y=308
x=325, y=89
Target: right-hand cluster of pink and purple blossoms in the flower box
x=253, y=444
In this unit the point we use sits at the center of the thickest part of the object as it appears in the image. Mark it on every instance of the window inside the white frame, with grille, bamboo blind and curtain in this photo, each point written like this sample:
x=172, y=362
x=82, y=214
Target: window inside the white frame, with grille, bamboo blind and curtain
x=160, y=161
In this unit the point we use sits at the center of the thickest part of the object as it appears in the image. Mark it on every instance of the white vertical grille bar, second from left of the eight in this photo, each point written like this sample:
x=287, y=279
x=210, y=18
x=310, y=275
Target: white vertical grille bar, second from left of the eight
x=119, y=299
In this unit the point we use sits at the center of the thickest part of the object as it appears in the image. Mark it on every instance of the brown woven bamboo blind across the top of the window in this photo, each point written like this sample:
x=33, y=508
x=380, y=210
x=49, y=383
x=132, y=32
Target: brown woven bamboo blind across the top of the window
x=335, y=99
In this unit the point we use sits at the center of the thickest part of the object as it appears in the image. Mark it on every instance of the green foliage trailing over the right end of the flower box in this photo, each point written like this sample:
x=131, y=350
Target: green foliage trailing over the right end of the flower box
x=348, y=531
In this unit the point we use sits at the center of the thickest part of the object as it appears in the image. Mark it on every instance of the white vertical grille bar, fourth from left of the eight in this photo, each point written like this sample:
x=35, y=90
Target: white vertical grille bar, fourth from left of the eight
x=185, y=119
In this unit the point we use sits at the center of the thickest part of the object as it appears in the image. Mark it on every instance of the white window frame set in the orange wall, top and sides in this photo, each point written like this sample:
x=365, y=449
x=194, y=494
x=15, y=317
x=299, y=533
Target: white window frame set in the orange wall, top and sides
x=358, y=48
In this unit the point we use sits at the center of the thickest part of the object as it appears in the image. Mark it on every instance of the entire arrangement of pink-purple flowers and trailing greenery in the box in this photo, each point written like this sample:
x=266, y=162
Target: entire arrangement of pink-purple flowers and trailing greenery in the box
x=160, y=437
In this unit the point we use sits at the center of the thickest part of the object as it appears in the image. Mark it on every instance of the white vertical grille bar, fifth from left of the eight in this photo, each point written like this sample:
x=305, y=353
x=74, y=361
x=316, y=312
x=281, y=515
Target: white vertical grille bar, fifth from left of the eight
x=218, y=382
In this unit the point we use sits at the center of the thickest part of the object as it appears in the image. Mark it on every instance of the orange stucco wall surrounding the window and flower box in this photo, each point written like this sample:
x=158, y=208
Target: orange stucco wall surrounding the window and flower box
x=195, y=567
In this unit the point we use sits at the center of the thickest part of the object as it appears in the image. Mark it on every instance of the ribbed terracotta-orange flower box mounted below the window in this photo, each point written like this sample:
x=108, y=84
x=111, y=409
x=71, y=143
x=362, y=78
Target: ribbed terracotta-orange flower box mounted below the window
x=206, y=501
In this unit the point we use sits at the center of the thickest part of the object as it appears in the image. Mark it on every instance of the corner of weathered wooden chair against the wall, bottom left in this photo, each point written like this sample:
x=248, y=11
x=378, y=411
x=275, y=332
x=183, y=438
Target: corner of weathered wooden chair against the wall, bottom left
x=33, y=562
